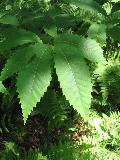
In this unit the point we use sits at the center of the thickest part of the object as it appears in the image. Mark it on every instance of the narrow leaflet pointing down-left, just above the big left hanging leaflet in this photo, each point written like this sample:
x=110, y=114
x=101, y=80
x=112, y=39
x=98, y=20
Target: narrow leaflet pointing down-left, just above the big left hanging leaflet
x=20, y=59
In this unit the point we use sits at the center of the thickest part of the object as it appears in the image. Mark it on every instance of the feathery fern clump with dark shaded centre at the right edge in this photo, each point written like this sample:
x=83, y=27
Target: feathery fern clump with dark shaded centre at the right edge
x=108, y=77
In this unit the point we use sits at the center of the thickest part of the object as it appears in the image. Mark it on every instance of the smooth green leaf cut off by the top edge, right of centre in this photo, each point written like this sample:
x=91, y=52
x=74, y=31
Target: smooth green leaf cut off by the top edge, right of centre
x=89, y=5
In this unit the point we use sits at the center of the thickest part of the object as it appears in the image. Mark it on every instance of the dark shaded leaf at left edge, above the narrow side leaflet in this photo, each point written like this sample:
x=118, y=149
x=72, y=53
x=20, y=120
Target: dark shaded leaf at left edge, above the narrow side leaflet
x=11, y=37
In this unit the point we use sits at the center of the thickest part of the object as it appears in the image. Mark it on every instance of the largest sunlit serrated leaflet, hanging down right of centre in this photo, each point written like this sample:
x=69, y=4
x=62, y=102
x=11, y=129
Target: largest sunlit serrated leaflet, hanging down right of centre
x=74, y=77
